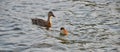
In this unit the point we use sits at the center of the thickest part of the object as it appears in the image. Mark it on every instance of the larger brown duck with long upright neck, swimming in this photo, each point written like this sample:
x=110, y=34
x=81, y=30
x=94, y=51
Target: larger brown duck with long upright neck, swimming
x=44, y=23
